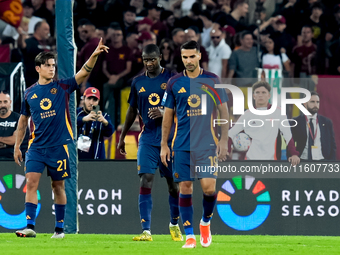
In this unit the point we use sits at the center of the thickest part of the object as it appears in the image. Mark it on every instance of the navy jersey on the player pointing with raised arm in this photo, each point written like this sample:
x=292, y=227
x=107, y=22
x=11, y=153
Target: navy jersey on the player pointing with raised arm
x=48, y=107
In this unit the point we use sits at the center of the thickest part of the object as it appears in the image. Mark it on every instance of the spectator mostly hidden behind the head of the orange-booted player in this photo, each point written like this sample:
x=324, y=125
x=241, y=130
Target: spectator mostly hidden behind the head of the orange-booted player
x=191, y=34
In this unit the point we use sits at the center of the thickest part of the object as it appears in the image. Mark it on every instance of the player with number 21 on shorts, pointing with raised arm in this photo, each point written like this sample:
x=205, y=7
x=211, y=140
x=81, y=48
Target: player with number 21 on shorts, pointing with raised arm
x=46, y=102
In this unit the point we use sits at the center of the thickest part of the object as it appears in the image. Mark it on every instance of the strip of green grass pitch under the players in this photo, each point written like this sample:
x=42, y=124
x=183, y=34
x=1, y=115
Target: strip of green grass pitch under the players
x=123, y=244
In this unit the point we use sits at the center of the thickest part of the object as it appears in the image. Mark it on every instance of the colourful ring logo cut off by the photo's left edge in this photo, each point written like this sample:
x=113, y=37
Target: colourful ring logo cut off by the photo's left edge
x=13, y=221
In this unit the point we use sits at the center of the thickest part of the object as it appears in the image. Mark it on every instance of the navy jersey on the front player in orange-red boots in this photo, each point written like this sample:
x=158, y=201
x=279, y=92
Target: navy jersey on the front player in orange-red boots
x=194, y=129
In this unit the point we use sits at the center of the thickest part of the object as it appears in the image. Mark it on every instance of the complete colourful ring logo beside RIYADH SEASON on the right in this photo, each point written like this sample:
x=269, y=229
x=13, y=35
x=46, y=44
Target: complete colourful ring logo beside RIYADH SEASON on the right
x=243, y=205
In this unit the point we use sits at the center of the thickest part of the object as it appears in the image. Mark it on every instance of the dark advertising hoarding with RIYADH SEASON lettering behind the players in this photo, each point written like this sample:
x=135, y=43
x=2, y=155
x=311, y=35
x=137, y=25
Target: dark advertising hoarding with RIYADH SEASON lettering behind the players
x=247, y=203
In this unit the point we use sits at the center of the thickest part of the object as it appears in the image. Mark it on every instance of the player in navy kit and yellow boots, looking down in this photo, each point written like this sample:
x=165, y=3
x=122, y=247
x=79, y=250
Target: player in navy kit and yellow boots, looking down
x=147, y=91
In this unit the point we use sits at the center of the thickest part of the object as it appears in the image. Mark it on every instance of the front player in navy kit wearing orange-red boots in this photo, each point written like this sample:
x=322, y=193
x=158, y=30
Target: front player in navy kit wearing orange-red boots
x=194, y=143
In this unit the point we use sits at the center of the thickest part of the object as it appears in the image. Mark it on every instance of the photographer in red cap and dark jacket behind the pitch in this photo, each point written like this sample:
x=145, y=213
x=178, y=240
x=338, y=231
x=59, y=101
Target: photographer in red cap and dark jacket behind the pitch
x=92, y=126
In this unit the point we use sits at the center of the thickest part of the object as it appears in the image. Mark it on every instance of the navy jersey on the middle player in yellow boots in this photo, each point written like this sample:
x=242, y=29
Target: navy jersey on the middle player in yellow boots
x=146, y=94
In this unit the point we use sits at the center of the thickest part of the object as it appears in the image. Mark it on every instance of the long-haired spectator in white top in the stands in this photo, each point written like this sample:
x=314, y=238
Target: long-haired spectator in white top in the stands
x=272, y=58
